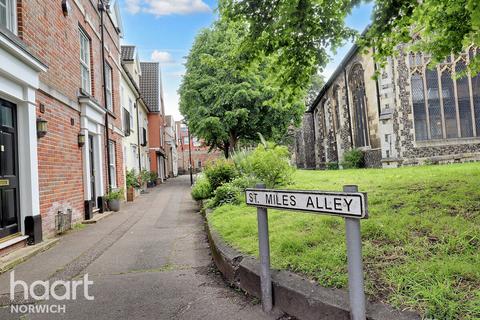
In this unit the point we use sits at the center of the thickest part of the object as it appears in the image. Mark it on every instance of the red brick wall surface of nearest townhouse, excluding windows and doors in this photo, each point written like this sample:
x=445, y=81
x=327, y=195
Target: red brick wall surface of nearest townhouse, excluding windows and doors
x=54, y=38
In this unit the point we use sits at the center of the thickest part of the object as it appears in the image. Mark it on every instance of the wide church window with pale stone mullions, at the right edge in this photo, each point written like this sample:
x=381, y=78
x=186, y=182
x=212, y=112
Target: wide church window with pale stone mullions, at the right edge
x=444, y=106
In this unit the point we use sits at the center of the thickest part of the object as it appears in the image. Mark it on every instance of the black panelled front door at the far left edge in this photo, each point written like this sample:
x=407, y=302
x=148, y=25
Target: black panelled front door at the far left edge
x=9, y=194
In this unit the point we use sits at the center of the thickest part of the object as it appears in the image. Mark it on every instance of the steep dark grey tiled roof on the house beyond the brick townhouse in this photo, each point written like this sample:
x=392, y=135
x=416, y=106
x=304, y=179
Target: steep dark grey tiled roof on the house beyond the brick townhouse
x=150, y=85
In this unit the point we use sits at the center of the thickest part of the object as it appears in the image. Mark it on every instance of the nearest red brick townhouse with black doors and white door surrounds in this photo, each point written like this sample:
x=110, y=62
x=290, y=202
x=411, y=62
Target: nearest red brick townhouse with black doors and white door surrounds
x=60, y=111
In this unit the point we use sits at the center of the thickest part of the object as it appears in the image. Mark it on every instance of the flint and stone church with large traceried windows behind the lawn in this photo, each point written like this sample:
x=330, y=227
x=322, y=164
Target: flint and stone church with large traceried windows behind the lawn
x=410, y=115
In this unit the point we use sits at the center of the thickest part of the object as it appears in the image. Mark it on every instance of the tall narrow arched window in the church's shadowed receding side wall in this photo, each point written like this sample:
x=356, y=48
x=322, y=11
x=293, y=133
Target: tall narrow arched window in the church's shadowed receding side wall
x=357, y=84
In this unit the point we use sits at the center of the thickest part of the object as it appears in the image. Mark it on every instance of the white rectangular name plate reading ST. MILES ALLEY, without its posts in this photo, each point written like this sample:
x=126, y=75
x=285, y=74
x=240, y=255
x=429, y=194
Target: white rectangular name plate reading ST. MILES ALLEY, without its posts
x=345, y=204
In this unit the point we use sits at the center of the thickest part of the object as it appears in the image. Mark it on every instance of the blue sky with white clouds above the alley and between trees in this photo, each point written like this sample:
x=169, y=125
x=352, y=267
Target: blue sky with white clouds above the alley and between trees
x=164, y=31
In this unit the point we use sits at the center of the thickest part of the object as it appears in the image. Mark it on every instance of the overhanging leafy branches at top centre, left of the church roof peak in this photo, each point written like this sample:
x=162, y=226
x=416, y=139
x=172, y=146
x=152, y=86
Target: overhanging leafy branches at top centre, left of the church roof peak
x=297, y=33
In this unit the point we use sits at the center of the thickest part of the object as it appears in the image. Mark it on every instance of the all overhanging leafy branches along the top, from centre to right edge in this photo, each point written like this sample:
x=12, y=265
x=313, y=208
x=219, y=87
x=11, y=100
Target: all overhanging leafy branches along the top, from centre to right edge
x=301, y=32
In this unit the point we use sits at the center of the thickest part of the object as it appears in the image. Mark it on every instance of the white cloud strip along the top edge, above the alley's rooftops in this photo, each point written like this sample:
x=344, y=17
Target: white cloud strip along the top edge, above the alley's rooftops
x=166, y=7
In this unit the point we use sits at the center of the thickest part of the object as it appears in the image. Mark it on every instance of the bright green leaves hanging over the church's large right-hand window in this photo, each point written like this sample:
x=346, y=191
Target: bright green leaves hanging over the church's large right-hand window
x=435, y=25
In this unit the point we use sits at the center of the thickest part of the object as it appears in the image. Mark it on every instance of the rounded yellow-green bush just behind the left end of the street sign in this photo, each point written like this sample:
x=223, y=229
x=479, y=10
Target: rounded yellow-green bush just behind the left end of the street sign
x=269, y=163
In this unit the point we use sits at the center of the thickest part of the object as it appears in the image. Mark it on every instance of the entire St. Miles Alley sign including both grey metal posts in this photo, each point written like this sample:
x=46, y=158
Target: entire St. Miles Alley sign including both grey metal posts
x=350, y=204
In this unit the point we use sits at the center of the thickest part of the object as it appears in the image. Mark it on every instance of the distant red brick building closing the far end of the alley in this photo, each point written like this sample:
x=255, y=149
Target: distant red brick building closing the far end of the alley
x=200, y=153
